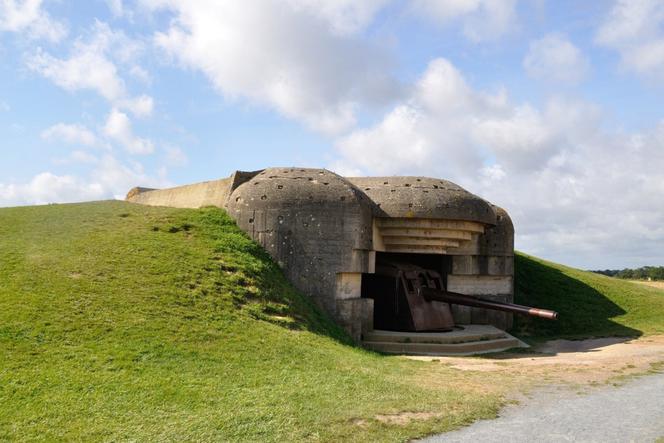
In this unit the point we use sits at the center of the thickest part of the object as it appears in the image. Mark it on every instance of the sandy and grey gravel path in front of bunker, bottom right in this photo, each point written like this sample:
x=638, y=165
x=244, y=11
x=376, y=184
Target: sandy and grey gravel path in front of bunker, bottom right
x=575, y=391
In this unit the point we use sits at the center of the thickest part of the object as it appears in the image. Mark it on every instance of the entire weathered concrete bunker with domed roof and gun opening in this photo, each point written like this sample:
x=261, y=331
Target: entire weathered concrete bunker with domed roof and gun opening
x=364, y=247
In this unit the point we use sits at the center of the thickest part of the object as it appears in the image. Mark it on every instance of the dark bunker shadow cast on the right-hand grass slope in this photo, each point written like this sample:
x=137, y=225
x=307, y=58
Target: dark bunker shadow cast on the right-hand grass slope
x=584, y=312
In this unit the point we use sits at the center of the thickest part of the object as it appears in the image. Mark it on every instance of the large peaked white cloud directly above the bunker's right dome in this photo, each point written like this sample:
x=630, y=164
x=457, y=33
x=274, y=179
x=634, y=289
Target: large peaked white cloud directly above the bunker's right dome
x=446, y=127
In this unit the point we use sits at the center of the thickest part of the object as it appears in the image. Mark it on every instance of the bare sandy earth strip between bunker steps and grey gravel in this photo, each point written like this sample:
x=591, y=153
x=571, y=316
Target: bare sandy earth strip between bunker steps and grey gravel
x=579, y=361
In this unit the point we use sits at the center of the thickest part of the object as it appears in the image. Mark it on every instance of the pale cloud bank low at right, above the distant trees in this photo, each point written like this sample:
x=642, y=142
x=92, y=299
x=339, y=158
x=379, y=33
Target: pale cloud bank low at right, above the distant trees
x=599, y=203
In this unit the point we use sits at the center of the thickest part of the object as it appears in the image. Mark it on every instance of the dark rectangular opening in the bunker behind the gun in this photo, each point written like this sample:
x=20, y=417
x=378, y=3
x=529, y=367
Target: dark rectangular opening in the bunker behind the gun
x=393, y=288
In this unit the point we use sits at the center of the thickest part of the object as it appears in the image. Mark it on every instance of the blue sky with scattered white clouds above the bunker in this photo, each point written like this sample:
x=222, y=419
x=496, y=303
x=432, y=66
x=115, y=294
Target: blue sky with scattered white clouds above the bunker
x=552, y=110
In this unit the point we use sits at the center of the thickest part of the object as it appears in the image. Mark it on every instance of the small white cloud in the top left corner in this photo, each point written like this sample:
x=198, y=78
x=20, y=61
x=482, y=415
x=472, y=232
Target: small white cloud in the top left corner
x=28, y=16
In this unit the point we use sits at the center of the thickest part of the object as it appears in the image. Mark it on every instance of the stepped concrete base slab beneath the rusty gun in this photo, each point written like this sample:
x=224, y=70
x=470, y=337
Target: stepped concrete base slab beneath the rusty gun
x=466, y=340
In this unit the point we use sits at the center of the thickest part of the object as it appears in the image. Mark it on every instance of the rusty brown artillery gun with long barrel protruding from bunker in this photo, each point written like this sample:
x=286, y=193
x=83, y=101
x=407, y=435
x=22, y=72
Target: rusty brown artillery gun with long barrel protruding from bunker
x=408, y=297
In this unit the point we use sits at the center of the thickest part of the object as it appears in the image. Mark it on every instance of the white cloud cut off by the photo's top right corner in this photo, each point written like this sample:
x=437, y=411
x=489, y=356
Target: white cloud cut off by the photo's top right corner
x=635, y=28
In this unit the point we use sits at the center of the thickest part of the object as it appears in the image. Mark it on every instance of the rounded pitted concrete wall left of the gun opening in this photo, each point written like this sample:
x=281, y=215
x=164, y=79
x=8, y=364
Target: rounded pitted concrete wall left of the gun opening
x=316, y=225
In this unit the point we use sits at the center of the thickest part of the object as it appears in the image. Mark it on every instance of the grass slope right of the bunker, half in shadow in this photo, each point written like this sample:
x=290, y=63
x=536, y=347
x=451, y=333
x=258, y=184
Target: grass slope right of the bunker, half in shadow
x=590, y=305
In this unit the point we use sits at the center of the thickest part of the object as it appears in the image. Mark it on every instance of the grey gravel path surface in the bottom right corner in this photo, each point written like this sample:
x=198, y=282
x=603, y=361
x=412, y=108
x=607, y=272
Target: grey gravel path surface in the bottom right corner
x=630, y=413
